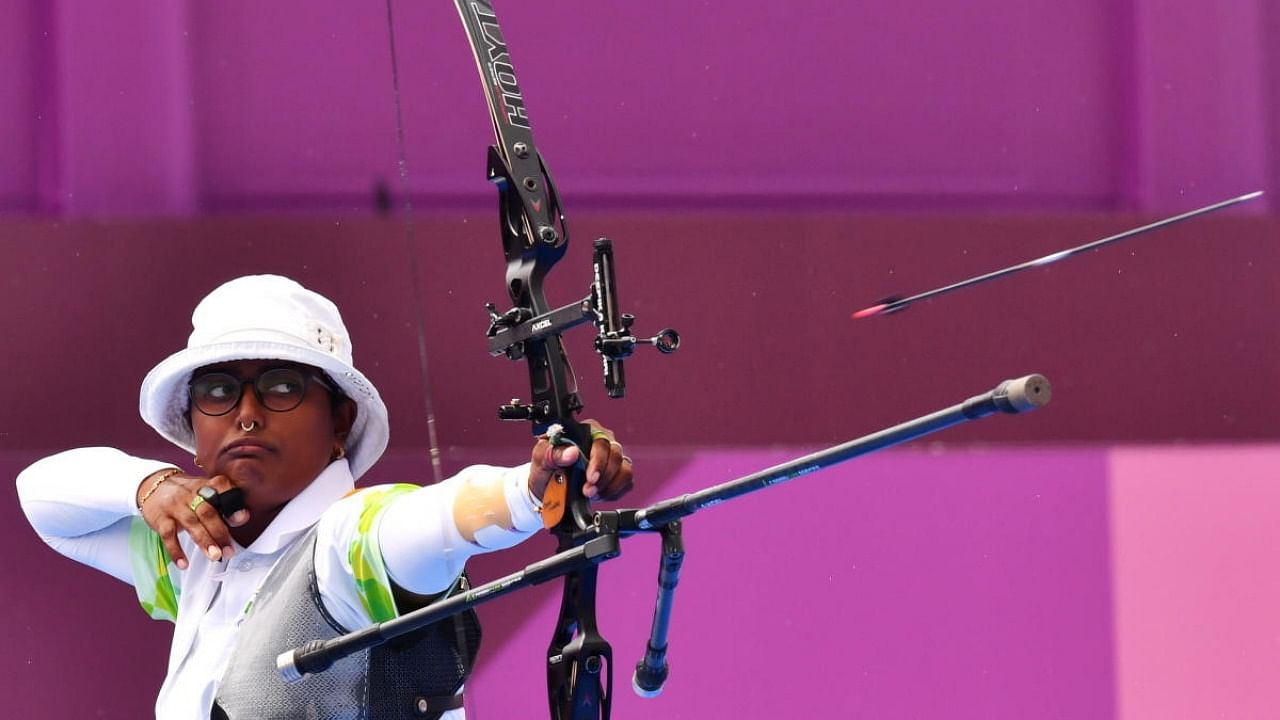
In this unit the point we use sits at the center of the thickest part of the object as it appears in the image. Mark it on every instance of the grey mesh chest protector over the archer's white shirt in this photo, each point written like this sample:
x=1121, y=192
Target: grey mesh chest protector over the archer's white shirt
x=414, y=677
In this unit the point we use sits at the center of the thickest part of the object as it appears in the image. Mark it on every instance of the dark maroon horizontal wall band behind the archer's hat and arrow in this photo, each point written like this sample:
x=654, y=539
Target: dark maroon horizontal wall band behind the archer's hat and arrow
x=1159, y=340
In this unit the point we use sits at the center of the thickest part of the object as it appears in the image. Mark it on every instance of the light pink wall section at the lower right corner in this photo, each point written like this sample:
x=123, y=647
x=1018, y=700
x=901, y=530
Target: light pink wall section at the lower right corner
x=1194, y=550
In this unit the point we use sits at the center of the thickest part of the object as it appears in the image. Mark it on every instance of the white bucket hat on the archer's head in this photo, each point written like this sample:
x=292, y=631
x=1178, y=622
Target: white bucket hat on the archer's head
x=266, y=318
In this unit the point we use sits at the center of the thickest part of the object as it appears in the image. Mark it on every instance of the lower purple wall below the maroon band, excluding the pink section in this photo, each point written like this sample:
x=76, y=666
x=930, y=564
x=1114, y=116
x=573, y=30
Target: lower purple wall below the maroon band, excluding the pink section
x=902, y=586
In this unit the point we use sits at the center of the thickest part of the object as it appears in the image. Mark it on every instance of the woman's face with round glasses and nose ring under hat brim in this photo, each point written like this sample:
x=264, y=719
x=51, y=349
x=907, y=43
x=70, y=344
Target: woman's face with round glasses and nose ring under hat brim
x=284, y=453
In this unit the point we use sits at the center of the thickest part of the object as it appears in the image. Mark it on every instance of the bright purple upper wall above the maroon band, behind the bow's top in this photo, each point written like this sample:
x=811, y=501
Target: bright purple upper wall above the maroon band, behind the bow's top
x=143, y=108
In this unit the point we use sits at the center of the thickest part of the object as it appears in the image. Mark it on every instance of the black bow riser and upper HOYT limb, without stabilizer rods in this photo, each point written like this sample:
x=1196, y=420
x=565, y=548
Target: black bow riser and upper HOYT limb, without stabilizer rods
x=534, y=239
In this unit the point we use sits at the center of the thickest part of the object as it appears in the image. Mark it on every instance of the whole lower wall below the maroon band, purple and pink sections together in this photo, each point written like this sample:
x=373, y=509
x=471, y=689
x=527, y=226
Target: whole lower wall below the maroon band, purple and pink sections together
x=1075, y=584
